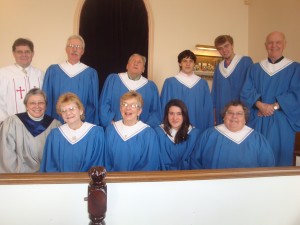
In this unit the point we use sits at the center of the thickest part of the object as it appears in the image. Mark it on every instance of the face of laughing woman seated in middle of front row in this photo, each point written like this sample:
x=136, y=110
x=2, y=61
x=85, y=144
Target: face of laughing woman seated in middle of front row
x=130, y=111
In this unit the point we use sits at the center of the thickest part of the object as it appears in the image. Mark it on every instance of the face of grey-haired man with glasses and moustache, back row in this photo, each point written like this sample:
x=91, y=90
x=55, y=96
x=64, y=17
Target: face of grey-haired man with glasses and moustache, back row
x=74, y=50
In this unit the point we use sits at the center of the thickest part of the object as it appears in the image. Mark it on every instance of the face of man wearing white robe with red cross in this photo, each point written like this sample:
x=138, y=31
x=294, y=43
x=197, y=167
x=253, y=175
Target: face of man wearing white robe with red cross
x=23, y=55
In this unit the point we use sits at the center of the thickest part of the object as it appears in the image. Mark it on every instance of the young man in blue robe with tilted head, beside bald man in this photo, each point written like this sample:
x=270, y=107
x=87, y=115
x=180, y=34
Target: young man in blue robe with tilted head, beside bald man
x=229, y=75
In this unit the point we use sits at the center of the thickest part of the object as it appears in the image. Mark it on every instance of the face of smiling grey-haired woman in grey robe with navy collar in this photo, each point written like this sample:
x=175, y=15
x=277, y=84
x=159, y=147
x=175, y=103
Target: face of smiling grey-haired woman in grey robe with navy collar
x=36, y=106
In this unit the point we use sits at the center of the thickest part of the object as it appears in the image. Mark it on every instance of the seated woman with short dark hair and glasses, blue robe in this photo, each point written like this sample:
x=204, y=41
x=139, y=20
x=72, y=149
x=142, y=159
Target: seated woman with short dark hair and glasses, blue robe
x=232, y=144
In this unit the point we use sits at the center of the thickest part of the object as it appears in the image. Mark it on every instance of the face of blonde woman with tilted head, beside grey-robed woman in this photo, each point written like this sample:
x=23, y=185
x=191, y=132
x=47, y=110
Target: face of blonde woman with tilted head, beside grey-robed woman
x=71, y=114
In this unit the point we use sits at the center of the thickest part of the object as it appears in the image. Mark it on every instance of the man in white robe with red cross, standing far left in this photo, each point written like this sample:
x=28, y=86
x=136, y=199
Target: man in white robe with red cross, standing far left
x=17, y=79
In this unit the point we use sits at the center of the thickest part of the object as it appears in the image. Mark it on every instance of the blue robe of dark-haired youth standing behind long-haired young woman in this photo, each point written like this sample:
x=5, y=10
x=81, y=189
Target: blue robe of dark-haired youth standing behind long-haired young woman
x=194, y=92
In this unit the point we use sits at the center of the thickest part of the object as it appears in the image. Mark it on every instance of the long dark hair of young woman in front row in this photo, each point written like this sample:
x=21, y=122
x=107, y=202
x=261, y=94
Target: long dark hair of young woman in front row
x=182, y=133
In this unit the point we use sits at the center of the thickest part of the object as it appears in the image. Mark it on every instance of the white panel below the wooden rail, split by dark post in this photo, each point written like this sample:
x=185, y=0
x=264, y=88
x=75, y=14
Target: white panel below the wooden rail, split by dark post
x=245, y=201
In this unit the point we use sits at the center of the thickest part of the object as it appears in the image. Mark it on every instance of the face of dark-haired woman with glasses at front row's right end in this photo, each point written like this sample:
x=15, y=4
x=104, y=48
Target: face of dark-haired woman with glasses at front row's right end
x=234, y=118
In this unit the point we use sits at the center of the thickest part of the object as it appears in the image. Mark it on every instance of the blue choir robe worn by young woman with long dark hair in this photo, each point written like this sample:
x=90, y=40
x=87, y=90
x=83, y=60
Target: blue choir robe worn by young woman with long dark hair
x=176, y=156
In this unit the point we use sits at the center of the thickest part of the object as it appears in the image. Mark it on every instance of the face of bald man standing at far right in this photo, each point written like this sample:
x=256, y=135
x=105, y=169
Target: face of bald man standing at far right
x=275, y=44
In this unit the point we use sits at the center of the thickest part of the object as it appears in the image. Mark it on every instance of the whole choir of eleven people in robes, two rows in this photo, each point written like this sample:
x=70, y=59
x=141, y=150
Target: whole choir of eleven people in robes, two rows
x=60, y=121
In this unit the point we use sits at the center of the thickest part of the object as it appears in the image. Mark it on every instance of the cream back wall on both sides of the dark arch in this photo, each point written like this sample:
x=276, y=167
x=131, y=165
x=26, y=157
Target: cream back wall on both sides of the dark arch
x=178, y=25
